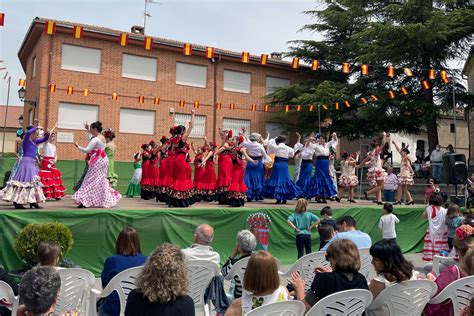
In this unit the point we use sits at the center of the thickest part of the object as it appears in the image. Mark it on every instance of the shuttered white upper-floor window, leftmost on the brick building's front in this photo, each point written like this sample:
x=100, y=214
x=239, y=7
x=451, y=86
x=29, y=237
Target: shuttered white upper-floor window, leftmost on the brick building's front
x=81, y=59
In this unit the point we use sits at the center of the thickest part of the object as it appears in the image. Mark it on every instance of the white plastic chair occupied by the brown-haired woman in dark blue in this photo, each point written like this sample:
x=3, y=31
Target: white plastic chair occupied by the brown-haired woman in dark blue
x=122, y=283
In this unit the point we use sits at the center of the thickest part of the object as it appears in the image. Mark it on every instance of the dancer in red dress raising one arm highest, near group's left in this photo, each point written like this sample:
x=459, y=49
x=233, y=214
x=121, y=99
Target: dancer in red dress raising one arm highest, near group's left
x=181, y=190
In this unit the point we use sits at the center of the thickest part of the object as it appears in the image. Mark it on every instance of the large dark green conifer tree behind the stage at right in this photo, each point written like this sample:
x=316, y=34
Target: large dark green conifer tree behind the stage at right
x=419, y=34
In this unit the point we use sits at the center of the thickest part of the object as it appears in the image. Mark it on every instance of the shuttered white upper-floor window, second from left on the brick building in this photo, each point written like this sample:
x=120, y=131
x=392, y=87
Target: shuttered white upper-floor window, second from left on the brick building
x=137, y=67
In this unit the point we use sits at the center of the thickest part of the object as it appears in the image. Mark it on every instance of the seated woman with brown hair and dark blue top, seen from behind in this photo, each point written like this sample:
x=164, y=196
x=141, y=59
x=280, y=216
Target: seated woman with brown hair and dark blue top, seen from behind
x=127, y=255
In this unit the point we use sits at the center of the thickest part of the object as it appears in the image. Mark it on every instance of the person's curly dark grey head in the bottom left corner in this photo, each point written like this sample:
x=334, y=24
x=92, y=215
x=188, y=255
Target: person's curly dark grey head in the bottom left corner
x=38, y=291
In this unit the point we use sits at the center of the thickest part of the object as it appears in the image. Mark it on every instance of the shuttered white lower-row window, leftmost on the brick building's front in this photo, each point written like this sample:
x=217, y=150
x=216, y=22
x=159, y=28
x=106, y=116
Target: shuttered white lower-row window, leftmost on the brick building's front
x=73, y=115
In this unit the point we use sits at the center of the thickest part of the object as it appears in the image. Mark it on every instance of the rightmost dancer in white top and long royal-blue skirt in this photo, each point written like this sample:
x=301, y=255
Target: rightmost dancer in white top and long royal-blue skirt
x=322, y=185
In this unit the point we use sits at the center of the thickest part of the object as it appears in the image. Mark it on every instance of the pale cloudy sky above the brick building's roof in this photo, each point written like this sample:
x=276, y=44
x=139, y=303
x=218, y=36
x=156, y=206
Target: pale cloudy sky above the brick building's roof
x=258, y=26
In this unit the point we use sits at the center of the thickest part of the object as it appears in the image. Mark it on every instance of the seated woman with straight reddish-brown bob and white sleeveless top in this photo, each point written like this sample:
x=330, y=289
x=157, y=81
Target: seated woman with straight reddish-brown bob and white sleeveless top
x=261, y=285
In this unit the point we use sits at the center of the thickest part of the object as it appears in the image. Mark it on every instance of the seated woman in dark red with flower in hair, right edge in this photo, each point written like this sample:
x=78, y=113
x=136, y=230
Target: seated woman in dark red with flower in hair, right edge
x=464, y=246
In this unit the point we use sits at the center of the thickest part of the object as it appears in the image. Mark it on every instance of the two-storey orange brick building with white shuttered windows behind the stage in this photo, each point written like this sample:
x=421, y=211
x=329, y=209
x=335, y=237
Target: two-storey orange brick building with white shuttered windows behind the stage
x=98, y=63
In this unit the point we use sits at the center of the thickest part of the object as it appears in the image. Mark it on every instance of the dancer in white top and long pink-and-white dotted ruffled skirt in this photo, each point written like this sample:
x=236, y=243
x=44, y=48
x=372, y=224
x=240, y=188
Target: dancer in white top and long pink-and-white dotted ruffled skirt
x=95, y=190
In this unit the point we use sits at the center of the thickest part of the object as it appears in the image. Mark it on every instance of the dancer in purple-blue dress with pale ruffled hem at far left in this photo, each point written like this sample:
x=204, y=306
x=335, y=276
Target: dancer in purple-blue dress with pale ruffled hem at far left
x=25, y=186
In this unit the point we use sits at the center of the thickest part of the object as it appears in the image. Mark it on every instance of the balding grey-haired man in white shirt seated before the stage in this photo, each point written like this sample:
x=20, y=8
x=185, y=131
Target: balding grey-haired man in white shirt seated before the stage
x=201, y=248
